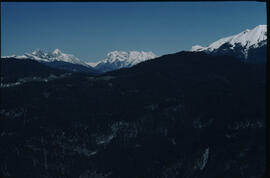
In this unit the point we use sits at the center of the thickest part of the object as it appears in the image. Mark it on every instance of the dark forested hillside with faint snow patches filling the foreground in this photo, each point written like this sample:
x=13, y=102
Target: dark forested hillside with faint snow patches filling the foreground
x=186, y=114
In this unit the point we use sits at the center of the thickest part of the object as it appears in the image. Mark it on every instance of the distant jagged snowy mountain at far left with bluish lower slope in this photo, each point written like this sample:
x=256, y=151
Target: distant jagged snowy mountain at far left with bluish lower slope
x=57, y=59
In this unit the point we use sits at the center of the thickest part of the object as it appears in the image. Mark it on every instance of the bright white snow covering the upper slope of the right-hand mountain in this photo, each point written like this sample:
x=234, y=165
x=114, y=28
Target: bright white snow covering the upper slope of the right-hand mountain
x=247, y=39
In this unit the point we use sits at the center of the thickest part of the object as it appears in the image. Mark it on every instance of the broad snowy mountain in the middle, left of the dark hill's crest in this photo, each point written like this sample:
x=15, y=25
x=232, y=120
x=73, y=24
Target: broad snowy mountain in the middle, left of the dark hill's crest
x=121, y=59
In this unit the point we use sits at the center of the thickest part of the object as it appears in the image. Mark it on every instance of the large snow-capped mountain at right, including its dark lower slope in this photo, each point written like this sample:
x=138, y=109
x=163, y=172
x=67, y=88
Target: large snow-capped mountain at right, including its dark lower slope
x=249, y=45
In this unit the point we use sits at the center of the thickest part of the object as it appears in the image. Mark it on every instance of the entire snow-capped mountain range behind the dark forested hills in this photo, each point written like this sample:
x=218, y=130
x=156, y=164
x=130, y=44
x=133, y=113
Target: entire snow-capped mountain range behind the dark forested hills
x=248, y=46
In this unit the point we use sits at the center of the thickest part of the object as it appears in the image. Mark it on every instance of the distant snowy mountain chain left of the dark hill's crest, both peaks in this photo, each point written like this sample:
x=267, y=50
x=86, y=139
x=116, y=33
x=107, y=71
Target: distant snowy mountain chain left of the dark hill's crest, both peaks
x=115, y=60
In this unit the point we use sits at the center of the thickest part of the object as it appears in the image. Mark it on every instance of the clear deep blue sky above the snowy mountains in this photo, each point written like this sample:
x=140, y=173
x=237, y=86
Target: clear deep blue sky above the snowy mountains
x=90, y=30
